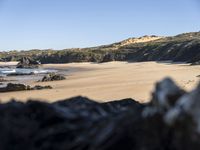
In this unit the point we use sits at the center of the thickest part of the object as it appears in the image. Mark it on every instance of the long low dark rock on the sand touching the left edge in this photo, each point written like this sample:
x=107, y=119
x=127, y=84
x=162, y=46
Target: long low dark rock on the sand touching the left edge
x=22, y=87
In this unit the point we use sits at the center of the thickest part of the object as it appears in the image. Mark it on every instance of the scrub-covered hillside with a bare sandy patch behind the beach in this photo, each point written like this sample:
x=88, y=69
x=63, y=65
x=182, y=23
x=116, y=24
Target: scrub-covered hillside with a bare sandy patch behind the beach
x=181, y=48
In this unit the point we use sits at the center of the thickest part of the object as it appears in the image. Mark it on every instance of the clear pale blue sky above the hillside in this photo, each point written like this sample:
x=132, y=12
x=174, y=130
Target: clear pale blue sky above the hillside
x=60, y=24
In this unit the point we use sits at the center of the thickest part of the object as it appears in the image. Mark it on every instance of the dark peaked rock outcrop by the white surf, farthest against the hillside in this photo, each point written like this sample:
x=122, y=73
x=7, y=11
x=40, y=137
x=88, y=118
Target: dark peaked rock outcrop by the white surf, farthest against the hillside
x=28, y=63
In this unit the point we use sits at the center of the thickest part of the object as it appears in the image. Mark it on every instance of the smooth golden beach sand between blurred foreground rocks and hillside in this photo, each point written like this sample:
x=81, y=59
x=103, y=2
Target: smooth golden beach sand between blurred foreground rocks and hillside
x=110, y=81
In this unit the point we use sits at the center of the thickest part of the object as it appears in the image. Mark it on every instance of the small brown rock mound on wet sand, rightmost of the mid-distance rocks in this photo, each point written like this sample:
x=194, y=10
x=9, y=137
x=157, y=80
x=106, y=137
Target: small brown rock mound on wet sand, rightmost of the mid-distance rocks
x=53, y=77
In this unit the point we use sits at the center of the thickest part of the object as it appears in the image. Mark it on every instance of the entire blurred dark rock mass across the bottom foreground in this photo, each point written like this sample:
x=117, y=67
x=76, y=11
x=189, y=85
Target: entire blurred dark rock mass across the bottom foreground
x=171, y=121
